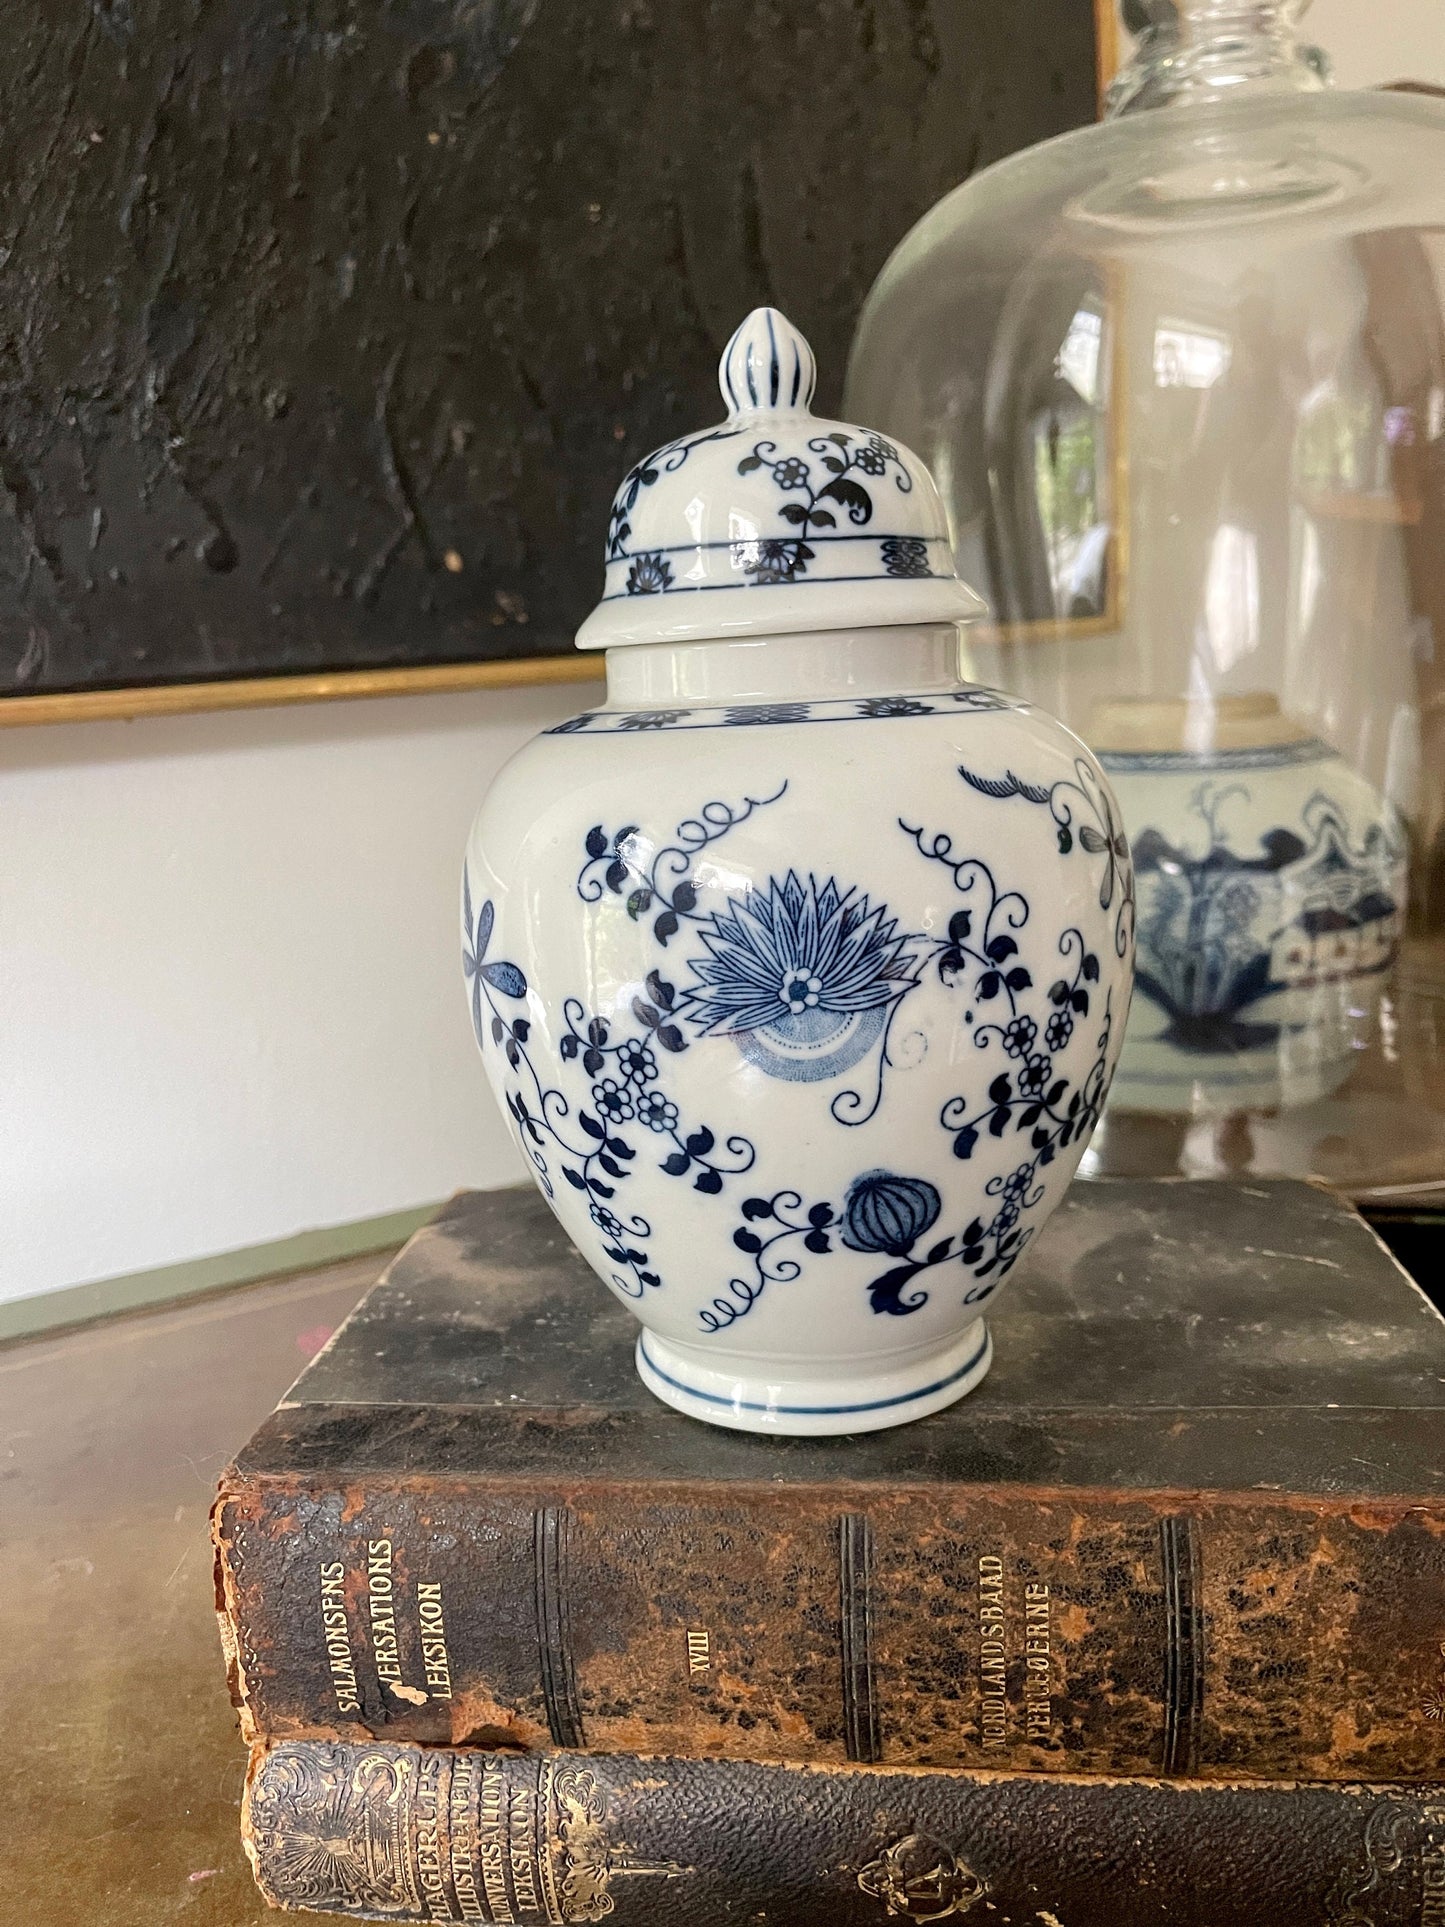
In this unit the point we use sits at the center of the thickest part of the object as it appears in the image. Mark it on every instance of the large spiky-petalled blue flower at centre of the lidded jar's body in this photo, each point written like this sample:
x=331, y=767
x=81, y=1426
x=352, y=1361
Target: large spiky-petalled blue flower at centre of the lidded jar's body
x=802, y=976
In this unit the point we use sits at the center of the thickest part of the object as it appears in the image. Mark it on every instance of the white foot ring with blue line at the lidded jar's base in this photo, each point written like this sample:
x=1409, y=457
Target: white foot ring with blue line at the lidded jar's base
x=743, y=1396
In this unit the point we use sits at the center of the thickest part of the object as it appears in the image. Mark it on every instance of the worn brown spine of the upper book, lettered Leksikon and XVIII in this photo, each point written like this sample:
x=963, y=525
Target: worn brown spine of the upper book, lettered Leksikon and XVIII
x=976, y=1627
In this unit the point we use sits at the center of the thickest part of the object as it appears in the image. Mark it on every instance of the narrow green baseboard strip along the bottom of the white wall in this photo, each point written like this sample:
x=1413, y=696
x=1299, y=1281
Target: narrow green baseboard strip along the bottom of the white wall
x=300, y=1254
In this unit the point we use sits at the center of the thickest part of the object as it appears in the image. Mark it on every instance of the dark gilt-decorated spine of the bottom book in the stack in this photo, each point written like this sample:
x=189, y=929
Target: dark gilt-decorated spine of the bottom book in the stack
x=409, y=1834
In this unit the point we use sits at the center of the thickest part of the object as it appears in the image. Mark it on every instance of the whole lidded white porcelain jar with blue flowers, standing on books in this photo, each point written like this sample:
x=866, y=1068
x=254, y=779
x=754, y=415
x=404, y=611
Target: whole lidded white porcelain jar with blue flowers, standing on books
x=801, y=966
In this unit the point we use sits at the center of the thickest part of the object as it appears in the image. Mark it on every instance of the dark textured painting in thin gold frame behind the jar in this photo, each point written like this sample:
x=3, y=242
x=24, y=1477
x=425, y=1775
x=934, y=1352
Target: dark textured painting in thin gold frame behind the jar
x=328, y=332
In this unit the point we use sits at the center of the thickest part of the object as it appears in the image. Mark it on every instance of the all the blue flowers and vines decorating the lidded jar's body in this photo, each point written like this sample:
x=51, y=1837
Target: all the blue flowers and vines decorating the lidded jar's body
x=806, y=974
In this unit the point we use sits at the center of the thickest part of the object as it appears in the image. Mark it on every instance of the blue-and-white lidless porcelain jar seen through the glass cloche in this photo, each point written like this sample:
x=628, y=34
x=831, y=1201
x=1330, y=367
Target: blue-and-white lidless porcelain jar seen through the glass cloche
x=1271, y=889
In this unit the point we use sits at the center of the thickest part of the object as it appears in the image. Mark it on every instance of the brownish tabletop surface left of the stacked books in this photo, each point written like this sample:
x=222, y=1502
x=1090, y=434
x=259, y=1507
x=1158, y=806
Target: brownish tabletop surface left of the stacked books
x=120, y=1778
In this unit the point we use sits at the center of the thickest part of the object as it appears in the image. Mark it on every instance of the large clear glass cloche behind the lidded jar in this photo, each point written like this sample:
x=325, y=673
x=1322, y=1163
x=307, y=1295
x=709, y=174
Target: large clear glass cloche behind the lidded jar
x=1182, y=384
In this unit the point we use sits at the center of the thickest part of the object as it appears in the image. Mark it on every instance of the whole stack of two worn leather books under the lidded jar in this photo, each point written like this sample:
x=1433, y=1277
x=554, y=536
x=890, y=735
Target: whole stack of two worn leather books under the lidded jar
x=1149, y=1629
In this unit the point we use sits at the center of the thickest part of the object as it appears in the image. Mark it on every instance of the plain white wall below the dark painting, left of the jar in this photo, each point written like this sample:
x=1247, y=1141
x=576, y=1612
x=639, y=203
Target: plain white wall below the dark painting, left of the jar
x=230, y=984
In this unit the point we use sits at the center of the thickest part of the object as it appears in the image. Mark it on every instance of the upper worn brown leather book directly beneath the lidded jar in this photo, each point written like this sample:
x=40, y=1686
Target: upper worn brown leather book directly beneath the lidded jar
x=1192, y=1525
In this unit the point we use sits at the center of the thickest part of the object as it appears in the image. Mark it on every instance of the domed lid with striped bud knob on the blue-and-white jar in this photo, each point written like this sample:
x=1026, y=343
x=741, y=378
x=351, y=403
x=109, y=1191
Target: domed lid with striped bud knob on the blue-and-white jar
x=775, y=521
